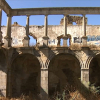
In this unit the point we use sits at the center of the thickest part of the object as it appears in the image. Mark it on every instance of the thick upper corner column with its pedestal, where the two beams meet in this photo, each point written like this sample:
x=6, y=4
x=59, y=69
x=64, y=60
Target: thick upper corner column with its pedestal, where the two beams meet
x=7, y=38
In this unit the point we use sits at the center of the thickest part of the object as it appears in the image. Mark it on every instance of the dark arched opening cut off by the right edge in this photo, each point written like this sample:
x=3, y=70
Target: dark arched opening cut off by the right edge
x=94, y=71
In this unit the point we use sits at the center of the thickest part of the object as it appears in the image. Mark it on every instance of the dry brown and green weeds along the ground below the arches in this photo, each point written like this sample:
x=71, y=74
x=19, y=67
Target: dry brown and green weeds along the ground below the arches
x=69, y=93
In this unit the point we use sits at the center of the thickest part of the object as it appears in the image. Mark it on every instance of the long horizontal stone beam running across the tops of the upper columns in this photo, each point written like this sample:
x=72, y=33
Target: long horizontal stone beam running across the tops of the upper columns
x=56, y=11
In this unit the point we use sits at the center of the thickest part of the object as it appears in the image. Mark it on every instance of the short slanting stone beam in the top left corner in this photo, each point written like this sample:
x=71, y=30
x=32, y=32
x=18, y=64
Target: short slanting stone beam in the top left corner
x=4, y=6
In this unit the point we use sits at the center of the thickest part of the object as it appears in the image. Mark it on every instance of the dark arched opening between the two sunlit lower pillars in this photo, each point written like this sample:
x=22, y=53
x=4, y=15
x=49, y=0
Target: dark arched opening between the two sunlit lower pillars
x=64, y=70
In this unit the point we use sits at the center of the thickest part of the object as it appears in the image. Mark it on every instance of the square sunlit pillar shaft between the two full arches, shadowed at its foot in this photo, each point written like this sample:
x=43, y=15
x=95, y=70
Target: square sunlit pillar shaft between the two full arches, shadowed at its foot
x=44, y=84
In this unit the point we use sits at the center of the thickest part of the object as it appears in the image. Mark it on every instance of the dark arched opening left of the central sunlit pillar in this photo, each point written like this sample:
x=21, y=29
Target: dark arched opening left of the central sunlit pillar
x=25, y=76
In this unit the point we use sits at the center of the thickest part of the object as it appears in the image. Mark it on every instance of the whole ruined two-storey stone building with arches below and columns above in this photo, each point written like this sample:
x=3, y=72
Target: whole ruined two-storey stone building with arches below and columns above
x=43, y=68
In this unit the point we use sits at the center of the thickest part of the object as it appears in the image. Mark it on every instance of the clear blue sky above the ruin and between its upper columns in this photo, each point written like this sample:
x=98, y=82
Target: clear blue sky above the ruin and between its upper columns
x=52, y=19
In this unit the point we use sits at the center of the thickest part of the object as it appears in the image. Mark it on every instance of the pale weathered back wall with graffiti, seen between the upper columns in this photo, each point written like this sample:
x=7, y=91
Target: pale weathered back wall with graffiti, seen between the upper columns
x=76, y=31
